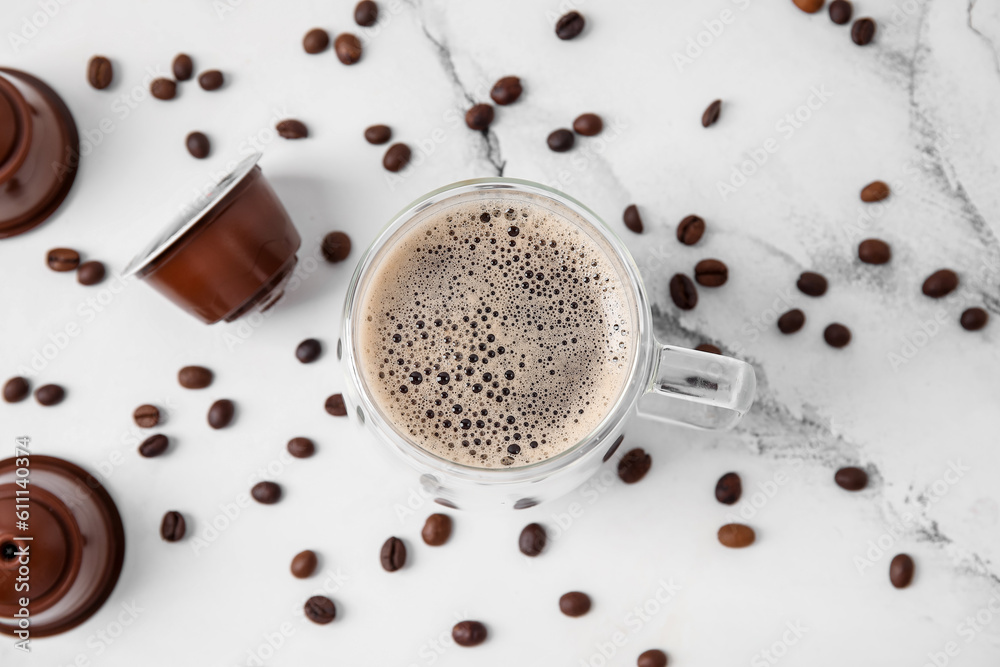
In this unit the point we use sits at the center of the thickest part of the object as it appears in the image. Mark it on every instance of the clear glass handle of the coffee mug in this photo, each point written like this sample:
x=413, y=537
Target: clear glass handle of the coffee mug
x=698, y=389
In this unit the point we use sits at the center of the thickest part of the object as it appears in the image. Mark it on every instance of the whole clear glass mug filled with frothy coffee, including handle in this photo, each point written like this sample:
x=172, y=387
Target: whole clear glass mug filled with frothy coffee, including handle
x=625, y=373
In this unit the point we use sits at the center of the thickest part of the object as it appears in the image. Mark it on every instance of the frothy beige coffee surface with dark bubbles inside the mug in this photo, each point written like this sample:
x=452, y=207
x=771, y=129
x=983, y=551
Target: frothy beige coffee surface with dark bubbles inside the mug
x=496, y=333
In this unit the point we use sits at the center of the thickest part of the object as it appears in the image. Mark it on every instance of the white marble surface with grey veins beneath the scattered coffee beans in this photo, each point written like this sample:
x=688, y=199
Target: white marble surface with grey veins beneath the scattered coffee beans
x=917, y=108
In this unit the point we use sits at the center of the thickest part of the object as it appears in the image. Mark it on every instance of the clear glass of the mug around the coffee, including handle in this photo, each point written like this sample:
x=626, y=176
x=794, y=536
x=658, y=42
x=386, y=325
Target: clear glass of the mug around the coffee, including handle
x=677, y=385
